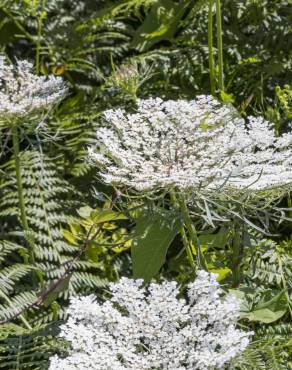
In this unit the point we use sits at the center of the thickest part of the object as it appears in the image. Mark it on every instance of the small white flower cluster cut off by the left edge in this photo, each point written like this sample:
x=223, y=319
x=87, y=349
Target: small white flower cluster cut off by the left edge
x=23, y=94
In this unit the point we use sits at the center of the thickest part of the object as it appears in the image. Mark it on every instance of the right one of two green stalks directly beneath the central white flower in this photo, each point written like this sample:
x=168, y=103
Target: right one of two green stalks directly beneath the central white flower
x=193, y=234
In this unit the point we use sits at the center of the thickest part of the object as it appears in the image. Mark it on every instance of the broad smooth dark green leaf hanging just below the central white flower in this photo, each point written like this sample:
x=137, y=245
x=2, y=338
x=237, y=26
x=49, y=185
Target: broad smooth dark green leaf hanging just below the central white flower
x=152, y=237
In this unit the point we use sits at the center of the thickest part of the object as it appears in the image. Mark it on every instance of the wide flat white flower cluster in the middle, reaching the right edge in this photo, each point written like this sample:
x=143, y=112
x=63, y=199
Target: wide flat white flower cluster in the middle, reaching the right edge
x=197, y=144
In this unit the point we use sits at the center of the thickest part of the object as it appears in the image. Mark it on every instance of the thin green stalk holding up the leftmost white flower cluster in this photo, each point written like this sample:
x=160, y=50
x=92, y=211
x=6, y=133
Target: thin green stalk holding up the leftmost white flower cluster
x=23, y=218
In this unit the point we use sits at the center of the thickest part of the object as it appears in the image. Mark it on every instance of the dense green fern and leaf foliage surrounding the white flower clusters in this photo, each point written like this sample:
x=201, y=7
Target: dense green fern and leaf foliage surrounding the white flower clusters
x=88, y=43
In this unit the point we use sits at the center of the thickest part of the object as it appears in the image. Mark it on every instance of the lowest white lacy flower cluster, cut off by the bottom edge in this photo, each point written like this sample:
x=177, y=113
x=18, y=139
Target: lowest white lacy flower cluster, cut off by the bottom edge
x=142, y=328
